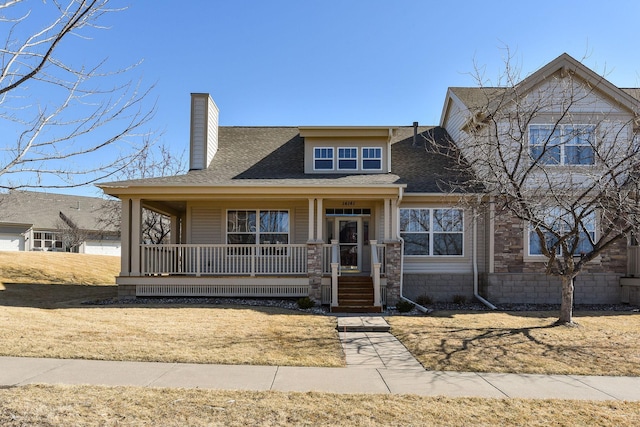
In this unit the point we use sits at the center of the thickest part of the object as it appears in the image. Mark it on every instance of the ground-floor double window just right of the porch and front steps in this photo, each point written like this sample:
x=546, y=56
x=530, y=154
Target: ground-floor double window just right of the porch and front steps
x=433, y=232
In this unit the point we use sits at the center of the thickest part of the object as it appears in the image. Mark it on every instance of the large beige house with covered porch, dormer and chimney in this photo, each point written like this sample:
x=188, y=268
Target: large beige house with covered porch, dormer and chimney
x=353, y=216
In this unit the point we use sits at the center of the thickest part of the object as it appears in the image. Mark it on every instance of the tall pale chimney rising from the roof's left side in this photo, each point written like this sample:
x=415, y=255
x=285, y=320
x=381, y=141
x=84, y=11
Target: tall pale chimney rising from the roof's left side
x=204, y=131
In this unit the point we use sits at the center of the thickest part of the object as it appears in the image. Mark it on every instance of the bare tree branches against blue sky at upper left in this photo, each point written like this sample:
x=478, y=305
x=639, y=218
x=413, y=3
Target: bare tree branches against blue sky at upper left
x=65, y=123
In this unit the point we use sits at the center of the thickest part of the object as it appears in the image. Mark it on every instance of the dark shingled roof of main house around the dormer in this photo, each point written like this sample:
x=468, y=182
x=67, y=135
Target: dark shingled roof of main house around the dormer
x=274, y=157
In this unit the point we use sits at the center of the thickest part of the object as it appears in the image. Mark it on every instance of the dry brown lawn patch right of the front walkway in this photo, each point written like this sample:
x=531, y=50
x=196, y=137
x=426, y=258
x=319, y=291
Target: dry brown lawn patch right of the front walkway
x=604, y=343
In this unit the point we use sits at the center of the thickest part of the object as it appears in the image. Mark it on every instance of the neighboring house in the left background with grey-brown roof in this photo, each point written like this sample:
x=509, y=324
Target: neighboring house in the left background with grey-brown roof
x=37, y=221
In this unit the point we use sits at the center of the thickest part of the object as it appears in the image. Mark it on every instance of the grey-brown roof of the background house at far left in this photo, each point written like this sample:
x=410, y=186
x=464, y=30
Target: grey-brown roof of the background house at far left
x=43, y=210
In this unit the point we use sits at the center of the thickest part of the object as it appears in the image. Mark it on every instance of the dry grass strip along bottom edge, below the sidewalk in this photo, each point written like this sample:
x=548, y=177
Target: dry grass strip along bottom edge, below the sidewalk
x=129, y=406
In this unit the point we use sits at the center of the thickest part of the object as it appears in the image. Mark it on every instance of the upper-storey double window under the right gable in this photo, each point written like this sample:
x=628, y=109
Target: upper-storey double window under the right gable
x=562, y=144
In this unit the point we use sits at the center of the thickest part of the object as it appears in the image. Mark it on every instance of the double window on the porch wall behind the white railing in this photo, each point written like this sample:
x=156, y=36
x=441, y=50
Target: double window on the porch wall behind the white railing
x=247, y=227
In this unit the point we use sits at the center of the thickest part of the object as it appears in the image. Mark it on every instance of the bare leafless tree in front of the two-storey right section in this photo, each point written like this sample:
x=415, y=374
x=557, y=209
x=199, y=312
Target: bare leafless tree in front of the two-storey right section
x=561, y=155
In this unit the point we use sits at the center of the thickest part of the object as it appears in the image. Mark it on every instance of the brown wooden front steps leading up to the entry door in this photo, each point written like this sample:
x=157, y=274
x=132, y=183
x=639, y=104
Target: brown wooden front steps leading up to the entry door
x=355, y=295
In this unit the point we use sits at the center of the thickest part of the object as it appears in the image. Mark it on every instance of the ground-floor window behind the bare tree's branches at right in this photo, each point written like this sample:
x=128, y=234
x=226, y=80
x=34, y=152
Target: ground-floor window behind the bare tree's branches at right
x=562, y=222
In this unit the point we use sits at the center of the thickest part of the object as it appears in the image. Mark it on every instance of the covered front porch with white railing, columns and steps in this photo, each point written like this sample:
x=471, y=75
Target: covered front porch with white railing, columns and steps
x=222, y=246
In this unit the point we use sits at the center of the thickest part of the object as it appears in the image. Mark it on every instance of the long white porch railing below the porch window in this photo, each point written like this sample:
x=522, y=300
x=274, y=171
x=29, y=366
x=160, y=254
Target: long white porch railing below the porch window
x=251, y=260
